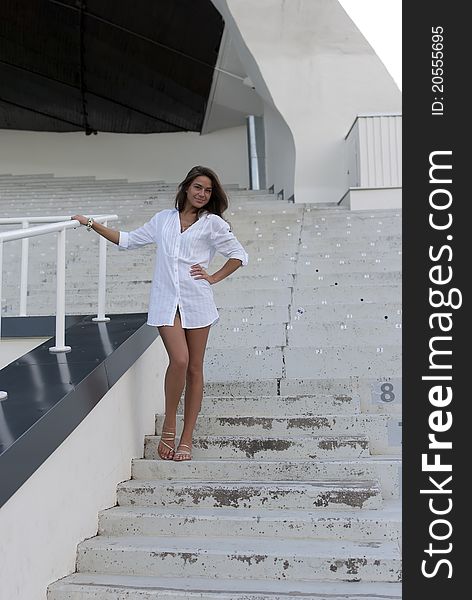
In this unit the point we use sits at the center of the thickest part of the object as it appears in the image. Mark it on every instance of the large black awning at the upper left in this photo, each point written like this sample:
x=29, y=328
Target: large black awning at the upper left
x=140, y=66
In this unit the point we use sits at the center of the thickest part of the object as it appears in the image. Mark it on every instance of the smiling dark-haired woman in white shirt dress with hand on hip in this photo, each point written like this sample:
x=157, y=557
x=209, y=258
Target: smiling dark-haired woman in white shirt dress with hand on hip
x=181, y=303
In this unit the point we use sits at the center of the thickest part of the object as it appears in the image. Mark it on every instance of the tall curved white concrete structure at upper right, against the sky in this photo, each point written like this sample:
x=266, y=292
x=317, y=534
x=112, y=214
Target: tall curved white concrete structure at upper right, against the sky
x=320, y=72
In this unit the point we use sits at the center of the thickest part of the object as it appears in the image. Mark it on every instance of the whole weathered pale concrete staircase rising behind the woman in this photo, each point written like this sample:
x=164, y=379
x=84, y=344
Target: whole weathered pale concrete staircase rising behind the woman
x=294, y=489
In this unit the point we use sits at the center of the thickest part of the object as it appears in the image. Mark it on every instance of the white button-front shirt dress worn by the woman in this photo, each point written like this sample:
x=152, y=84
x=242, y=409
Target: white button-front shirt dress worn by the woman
x=176, y=252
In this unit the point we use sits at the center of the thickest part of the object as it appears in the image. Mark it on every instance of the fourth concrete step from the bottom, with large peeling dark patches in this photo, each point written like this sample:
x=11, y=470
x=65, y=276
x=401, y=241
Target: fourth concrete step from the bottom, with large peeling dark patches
x=270, y=495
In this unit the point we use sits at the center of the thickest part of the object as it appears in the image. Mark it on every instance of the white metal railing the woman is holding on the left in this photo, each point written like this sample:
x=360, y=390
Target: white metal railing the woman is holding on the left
x=53, y=224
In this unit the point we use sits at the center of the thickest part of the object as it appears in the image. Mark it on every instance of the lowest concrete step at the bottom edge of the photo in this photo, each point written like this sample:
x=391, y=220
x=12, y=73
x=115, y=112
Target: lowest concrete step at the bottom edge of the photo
x=97, y=586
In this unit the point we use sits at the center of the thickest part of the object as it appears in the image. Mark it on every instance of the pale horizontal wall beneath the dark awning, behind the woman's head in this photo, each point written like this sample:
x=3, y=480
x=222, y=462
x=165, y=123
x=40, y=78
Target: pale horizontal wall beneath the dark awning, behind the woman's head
x=166, y=156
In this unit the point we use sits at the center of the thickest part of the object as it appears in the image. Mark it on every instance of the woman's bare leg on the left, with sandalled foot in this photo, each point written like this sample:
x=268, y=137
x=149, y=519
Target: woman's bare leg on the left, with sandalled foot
x=175, y=344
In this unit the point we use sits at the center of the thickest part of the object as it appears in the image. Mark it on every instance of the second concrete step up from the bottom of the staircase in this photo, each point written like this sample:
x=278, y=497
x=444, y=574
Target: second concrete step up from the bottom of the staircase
x=229, y=558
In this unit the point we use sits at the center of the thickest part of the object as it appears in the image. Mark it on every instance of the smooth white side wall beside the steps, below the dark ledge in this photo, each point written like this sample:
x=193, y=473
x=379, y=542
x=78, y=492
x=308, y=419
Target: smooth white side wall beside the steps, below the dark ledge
x=57, y=506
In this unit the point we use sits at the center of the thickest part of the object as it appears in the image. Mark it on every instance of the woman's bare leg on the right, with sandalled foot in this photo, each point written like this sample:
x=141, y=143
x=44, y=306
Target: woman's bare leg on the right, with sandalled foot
x=196, y=343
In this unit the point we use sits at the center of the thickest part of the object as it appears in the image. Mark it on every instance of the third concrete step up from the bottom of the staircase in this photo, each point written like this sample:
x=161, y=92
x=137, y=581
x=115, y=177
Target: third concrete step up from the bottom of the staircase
x=374, y=525
